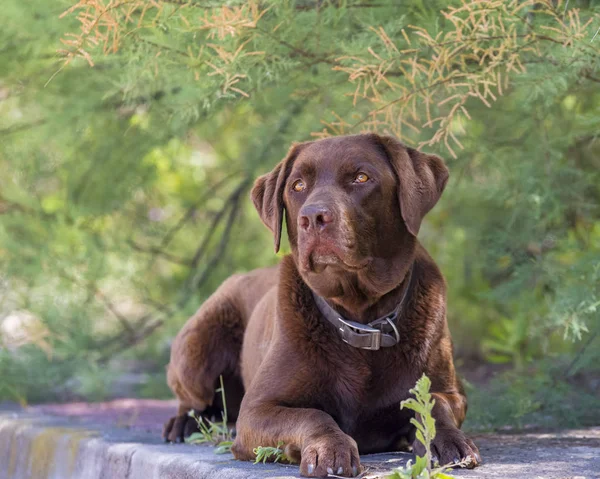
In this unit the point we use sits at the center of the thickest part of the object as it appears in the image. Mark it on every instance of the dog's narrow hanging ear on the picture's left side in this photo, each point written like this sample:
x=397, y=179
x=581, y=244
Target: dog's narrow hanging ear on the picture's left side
x=267, y=194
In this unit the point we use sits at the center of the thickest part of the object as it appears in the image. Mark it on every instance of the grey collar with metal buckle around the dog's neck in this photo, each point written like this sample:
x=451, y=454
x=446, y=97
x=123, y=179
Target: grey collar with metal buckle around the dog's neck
x=381, y=333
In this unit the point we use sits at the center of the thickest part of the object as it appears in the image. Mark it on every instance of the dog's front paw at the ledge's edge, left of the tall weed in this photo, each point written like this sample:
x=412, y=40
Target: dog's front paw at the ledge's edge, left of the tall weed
x=330, y=455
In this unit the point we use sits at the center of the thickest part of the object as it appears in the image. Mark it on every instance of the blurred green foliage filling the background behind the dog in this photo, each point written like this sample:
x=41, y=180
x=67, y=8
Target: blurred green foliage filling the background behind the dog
x=131, y=132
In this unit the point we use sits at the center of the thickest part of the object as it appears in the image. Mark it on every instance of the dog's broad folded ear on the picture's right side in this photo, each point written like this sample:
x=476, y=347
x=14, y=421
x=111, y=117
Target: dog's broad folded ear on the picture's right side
x=421, y=180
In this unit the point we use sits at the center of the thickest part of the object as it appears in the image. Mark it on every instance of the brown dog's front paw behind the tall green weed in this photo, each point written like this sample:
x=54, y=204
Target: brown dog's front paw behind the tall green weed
x=451, y=446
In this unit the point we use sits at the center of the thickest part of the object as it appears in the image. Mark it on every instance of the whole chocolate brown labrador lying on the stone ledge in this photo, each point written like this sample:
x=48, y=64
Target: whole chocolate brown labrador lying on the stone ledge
x=321, y=349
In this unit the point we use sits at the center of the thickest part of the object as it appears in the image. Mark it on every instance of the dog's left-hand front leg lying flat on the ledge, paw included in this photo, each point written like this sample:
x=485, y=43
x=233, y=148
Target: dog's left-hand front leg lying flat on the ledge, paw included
x=308, y=435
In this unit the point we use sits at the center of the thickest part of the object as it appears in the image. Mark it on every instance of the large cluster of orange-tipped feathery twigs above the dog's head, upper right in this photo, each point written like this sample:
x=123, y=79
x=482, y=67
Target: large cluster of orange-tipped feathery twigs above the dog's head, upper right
x=427, y=82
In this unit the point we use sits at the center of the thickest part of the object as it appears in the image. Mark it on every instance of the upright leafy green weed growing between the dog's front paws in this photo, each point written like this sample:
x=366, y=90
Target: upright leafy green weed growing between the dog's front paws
x=422, y=468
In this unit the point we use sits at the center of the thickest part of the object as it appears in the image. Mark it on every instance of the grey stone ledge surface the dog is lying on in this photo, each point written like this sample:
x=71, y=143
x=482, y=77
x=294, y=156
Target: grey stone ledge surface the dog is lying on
x=121, y=439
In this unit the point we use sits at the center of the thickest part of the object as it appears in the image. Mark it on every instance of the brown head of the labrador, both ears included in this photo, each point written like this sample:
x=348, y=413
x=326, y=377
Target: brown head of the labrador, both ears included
x=353, y=205
